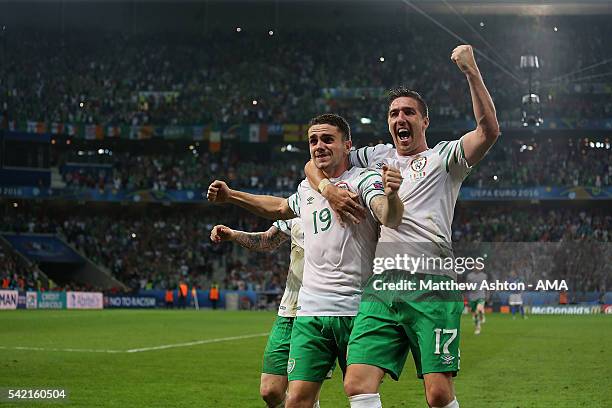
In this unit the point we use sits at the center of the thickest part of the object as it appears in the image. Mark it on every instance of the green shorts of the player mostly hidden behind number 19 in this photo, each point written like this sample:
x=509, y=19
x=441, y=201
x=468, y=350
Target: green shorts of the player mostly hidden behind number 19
x=277, y=349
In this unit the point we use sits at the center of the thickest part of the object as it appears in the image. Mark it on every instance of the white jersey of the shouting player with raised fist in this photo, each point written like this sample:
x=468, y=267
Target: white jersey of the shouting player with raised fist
x=429, y=191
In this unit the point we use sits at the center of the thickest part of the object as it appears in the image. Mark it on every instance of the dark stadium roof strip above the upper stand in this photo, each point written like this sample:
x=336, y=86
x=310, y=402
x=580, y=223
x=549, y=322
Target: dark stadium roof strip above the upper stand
x=202, y=15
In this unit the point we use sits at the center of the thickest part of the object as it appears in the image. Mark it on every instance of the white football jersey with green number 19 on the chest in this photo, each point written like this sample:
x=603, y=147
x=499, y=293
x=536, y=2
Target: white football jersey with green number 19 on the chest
x=338, y=260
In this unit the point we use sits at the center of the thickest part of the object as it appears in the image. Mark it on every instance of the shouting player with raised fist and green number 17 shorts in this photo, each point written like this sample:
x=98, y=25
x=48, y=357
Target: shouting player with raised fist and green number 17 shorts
x=388, y=324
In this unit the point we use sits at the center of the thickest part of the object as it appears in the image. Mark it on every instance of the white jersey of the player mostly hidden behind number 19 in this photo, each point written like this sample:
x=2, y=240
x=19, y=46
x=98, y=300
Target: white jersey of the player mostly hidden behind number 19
x=293, y=228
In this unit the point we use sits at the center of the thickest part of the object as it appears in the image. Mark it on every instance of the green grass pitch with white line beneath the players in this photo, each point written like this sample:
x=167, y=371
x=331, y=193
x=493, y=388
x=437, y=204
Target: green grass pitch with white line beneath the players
x=545, y=361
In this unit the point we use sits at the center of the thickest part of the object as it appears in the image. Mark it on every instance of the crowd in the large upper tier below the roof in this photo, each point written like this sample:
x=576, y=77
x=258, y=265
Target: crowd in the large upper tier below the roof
x=248, y=77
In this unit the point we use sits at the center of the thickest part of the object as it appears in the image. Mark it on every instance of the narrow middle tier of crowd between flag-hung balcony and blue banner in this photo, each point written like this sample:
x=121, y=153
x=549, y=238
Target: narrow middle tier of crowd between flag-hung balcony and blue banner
x=512, y=163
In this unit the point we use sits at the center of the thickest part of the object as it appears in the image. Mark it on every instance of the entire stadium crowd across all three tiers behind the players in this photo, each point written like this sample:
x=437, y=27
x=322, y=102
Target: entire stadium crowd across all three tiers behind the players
x=242, y=78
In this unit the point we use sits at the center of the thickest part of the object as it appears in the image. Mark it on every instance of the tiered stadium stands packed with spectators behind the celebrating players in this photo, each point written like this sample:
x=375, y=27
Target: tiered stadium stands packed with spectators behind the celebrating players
x=90, y=94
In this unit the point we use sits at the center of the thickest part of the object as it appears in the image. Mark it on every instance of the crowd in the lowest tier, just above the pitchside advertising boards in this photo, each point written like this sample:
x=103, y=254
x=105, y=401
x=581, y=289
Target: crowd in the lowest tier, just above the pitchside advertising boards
x=154, y=251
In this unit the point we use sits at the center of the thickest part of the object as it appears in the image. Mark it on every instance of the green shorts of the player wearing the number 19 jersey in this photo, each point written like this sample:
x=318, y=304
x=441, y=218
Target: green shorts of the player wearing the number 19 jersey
x=316, y=343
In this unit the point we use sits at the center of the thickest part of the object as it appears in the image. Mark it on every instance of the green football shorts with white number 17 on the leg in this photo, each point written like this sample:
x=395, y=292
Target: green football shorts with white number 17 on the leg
x=390, y=323
